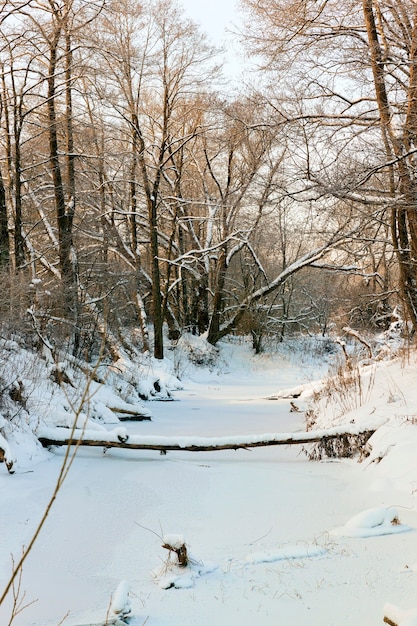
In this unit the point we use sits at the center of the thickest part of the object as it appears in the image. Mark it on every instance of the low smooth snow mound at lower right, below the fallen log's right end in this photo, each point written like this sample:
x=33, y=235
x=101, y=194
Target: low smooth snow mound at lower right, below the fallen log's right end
x=372, y=523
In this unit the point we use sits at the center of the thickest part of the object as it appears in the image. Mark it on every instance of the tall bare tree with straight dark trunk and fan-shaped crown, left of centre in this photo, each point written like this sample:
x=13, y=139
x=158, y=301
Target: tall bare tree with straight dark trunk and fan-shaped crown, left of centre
x=158, y=67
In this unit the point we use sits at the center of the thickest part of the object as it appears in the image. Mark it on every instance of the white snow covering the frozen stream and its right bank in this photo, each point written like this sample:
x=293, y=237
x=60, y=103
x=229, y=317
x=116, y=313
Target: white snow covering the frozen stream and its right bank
x=273, y=537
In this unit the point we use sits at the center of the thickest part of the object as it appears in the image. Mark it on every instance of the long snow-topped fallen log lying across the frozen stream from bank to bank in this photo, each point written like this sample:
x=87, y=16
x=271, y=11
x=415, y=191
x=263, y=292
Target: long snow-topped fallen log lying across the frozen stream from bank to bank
x=119, y=438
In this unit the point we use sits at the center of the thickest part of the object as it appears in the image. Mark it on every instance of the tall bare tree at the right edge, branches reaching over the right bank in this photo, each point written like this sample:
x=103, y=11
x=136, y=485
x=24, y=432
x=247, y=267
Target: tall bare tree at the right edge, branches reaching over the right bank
x=346, y=71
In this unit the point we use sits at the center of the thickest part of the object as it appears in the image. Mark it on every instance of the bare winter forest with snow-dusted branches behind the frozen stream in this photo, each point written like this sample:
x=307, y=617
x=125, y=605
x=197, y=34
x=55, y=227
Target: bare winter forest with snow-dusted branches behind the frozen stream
x=142, y=195
